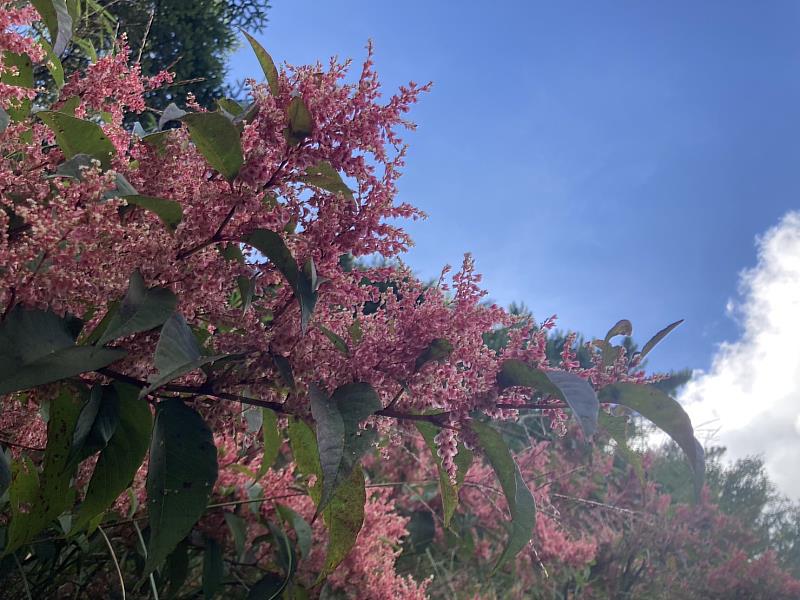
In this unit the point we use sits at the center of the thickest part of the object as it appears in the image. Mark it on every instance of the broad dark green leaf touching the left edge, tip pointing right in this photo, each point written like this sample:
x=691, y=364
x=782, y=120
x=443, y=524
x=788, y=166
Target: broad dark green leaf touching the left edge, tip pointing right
x=38, y=347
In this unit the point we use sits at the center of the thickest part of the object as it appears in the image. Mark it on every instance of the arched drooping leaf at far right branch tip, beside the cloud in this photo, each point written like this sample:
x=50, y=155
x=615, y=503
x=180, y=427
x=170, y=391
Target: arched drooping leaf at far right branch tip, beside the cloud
x=666, y=414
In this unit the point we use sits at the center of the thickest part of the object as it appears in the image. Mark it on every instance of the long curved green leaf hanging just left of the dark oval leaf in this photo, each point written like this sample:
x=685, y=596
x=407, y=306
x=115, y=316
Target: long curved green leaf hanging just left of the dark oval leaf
x=120, y=459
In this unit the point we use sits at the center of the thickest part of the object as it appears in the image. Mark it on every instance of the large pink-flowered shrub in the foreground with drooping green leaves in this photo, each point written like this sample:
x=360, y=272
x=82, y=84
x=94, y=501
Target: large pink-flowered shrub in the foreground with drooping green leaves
x=186, y=346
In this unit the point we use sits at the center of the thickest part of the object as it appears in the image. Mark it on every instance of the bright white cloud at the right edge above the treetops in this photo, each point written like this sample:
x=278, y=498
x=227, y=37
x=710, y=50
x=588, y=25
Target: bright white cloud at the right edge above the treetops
x=750, y=398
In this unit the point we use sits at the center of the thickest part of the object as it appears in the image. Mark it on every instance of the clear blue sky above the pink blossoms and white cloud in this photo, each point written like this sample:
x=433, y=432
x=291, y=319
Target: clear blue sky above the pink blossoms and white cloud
x=601, y=160
